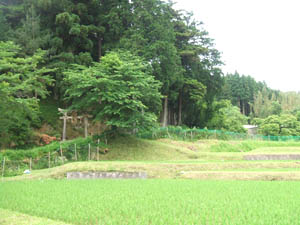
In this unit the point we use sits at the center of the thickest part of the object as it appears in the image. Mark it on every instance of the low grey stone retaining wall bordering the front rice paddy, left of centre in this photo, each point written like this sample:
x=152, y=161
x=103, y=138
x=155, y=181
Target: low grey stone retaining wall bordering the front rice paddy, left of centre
x=106, y=175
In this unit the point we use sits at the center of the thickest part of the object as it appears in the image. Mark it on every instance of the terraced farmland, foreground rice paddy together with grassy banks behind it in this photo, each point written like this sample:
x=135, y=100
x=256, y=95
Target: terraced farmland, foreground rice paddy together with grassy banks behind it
x=202, y=182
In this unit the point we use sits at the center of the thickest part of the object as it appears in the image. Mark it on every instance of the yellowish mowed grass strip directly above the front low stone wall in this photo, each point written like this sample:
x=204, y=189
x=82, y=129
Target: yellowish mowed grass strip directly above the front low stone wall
x=166, y=169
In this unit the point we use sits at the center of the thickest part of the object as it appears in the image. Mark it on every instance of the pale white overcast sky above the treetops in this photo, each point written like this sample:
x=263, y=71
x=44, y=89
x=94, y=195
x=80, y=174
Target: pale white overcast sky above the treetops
x=260, y=38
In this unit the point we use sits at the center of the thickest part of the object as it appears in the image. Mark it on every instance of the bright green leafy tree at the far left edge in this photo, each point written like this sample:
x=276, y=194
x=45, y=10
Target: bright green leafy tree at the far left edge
x=22, y=81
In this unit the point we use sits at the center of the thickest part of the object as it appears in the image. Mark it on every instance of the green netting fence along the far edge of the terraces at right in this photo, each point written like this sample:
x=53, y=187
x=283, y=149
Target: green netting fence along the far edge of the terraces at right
x=196, y=134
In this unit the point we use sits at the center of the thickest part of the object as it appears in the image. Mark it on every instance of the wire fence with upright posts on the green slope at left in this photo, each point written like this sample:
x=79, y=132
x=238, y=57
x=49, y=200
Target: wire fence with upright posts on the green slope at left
x=15, y=162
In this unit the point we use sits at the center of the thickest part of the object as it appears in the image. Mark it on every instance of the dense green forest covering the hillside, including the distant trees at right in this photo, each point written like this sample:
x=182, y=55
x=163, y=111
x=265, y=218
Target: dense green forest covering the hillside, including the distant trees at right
x=129, y=64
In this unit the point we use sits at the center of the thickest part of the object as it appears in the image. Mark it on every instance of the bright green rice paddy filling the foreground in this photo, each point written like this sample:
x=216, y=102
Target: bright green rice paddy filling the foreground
x=155, y=201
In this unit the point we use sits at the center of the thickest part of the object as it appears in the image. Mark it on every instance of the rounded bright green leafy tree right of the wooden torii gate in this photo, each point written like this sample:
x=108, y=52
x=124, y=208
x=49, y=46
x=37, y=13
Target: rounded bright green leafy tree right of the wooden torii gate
x=119, y=91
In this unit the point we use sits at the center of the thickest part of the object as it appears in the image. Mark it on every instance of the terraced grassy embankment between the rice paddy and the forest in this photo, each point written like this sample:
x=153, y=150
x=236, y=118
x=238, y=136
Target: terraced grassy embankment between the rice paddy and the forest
x=205, y=159
